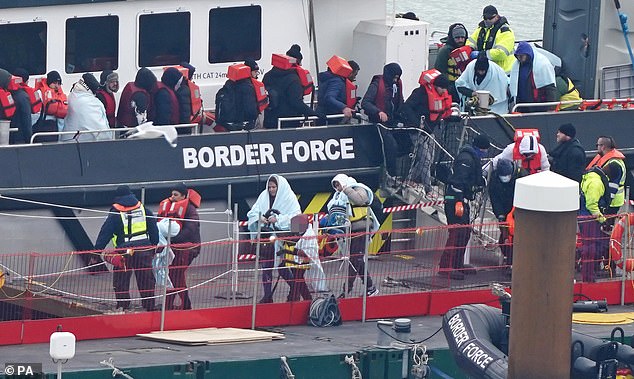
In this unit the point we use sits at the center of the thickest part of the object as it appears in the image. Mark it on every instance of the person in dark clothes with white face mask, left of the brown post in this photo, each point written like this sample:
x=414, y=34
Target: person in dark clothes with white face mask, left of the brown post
x=501, y=192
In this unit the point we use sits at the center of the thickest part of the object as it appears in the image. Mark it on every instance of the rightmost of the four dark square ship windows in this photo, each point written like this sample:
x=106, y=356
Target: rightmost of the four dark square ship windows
x=235, y=34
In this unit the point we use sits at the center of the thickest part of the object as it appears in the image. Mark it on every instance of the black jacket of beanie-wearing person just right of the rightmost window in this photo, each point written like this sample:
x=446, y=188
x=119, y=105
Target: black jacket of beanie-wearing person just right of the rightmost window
x=287, y=97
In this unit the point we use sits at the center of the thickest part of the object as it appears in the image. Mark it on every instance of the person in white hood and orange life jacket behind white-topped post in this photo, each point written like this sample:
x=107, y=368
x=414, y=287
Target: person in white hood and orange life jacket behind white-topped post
x=527, y=152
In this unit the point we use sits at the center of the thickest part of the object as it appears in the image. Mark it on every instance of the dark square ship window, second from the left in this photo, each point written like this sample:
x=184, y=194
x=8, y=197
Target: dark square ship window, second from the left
x=92, y=44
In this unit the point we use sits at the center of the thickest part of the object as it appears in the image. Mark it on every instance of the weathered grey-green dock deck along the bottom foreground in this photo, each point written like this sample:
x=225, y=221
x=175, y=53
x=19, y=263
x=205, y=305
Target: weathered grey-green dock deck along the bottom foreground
x=300, y=341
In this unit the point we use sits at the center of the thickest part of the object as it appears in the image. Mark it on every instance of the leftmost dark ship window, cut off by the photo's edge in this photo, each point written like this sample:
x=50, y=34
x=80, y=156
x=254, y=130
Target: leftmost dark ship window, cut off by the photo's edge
x=23, y=45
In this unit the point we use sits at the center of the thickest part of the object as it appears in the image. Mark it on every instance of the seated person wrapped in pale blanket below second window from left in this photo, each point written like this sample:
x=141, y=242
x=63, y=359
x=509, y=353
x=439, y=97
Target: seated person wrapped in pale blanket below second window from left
x=86, y=112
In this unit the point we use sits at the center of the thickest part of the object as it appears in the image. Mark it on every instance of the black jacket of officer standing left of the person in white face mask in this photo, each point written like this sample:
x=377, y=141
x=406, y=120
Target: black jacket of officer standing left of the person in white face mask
x=466, y=176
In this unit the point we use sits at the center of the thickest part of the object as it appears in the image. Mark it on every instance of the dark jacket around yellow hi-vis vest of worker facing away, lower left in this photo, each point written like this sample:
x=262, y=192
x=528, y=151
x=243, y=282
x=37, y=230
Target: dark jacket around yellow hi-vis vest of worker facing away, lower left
x=113, y=226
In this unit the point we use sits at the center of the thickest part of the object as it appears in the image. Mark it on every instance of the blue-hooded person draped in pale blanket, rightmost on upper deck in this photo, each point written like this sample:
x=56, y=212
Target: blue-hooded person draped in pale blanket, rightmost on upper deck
x=532, y=78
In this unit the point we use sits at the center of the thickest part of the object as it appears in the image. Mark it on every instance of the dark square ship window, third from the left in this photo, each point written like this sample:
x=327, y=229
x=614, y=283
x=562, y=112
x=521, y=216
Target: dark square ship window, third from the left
x=164, y=39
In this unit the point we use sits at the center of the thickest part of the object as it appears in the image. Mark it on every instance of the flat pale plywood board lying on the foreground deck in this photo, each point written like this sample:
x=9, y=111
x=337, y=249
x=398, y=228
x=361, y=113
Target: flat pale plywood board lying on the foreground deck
x=212, y=336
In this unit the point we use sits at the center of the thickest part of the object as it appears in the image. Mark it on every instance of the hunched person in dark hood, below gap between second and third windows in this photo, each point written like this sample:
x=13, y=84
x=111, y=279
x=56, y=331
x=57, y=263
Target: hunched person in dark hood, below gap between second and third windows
x=136, y=99
